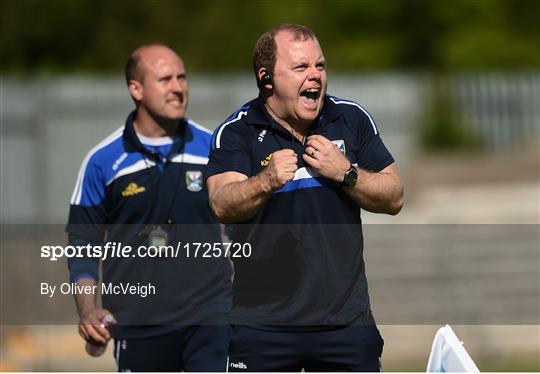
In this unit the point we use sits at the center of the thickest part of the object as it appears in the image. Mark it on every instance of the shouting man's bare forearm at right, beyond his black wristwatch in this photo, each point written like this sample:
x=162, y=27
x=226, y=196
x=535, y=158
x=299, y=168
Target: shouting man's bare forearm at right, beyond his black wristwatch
x=377, y=192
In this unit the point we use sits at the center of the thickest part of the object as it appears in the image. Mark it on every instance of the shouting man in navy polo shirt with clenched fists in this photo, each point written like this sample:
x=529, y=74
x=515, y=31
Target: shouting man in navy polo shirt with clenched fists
x=295, y=166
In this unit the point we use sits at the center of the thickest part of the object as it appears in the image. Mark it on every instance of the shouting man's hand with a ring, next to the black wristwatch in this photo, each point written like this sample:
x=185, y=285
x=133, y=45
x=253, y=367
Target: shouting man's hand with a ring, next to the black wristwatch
x=325, y=158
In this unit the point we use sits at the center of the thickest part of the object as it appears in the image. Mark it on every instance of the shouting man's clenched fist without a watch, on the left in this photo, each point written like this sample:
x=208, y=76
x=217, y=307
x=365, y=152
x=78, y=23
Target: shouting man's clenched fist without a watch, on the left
x=281, y=168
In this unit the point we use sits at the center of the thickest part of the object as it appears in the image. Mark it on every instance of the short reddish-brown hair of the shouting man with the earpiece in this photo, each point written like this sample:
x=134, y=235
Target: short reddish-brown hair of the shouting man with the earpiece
x=264, y=53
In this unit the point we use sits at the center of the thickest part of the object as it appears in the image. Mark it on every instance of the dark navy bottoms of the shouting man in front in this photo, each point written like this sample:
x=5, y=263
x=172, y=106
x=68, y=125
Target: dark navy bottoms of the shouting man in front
x=351, y=348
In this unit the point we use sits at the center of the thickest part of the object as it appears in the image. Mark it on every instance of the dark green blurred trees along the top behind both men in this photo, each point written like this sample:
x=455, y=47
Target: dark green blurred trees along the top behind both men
x=214, y=35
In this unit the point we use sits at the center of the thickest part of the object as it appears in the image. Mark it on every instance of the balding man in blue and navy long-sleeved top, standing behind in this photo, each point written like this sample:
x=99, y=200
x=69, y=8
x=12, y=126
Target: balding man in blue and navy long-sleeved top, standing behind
x=144, y=185
